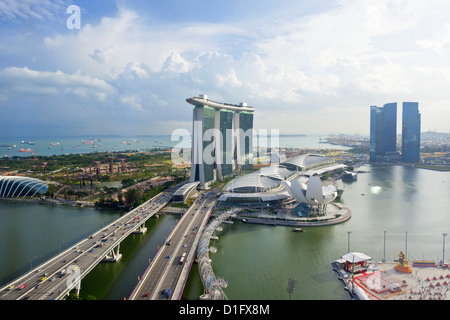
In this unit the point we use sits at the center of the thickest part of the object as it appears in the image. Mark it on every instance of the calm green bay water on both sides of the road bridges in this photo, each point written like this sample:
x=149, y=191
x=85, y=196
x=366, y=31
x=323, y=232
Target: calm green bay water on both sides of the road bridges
x=256, y=260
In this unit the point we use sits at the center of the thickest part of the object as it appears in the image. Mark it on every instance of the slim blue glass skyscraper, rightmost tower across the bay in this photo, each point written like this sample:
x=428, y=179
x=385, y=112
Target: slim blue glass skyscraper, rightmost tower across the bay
x=411, y=119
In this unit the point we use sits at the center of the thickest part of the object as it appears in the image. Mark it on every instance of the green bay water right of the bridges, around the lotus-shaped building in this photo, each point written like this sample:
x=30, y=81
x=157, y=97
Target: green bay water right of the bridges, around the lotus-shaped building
x=258, y=260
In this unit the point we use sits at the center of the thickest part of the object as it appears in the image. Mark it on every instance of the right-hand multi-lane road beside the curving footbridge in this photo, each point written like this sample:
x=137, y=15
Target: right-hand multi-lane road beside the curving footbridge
x=167, y=272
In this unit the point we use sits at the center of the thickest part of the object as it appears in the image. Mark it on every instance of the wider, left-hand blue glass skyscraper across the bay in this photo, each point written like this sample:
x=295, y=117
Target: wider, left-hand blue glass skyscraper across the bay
x=383, y=130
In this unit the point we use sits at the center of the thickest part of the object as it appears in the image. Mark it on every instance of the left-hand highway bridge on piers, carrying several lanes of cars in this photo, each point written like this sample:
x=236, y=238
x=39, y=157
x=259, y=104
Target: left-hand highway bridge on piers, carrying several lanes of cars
x=55, y=278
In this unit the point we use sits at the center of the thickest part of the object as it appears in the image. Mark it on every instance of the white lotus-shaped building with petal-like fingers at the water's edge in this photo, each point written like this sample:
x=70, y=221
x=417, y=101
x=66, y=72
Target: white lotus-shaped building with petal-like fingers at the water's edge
x=311, y=192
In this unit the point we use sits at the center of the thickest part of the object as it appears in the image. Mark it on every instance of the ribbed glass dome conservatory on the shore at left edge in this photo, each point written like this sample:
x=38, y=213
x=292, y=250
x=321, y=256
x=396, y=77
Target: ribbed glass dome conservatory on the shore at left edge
x=19, y=187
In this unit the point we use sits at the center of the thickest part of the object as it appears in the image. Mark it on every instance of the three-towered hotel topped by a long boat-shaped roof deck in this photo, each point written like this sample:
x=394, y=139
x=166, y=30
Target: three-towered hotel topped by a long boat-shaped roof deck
x=222, y=139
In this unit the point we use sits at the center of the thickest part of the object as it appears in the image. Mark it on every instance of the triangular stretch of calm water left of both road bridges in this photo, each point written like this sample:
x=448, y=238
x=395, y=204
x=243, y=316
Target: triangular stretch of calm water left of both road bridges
x=31, y=233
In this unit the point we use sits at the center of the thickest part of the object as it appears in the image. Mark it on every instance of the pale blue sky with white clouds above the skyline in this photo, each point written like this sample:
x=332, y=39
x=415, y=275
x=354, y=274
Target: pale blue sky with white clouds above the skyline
x=309, y=67
